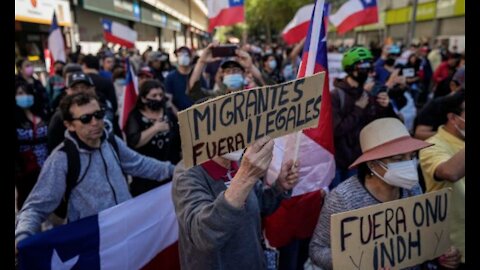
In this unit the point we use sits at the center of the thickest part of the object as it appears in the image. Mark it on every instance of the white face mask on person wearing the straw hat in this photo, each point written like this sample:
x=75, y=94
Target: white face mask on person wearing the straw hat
x=402, y=174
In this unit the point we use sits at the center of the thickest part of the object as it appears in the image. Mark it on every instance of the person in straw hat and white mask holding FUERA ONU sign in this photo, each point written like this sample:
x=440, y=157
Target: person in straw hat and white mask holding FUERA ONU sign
x=387, y=171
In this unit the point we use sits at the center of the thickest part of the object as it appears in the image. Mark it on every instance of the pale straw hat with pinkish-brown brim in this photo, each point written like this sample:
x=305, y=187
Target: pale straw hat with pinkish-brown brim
x=386, y=137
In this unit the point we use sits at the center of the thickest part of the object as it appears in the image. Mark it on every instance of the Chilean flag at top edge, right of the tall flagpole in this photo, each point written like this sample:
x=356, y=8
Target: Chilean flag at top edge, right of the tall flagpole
x=355, y=13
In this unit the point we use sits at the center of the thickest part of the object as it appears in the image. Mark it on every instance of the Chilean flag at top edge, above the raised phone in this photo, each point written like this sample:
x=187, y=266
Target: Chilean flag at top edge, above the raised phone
x=224, y=12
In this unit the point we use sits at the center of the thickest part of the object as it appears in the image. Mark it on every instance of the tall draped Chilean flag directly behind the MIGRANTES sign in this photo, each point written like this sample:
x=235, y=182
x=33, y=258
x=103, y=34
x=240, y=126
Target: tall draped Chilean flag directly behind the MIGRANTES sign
x=297, y=217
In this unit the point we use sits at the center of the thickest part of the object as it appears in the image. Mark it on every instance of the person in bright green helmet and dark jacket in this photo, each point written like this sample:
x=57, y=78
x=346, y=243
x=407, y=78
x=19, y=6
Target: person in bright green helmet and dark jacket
x=353, y=108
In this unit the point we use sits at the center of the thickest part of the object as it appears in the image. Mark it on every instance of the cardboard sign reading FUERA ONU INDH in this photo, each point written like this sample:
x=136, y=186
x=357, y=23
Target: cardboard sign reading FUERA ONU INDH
x=396, y=234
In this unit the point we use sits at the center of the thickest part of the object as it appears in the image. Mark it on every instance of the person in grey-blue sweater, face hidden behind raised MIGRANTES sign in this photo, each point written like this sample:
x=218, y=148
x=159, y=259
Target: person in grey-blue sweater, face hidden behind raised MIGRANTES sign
x=219, y=207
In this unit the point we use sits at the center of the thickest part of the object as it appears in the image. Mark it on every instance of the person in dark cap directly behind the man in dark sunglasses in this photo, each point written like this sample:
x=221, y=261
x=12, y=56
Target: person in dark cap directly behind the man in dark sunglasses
x=77, y=82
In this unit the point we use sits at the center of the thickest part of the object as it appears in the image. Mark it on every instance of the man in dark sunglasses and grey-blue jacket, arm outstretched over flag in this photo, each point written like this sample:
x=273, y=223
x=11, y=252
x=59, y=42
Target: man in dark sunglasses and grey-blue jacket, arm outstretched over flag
x=90, y=180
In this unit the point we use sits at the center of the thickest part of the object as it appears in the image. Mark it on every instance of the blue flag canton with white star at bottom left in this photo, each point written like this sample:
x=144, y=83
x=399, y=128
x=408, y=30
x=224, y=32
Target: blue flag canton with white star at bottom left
x=75, y=245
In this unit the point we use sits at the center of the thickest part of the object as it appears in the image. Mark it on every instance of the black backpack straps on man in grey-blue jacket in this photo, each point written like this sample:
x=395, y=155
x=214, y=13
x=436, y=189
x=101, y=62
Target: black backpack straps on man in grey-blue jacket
x=73, y=171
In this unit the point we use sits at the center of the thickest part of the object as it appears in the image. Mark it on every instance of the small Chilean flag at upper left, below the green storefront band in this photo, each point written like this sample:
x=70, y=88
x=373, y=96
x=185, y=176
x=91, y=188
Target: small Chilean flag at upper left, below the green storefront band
x=118, y=33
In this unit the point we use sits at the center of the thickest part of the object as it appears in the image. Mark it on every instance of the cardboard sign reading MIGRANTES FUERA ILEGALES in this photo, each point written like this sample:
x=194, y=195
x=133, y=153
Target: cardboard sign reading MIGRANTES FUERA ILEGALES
x=234, y=121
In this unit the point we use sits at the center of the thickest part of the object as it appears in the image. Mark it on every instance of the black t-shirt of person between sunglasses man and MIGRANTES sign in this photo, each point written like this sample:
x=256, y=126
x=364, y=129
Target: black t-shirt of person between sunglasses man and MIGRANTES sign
x=164, y=146
